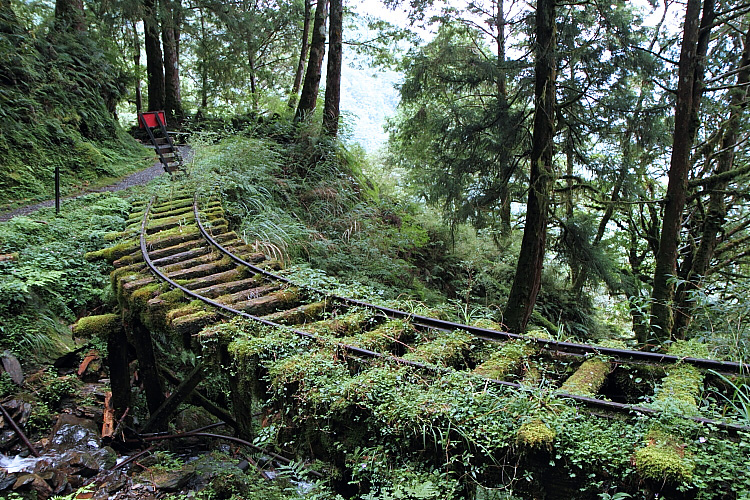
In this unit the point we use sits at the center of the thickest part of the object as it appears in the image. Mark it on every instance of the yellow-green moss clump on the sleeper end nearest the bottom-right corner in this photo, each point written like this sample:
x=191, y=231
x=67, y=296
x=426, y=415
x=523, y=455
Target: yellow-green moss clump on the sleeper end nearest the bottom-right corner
x=662, y=459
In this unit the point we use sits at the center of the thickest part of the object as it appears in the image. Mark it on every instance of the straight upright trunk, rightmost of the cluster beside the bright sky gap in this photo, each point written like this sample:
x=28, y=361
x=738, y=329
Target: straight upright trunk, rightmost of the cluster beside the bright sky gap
x=331, y=111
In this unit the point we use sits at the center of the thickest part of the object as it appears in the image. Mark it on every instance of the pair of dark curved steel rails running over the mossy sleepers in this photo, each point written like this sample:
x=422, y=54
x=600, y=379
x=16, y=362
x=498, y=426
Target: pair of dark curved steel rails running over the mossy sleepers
x=651, y=358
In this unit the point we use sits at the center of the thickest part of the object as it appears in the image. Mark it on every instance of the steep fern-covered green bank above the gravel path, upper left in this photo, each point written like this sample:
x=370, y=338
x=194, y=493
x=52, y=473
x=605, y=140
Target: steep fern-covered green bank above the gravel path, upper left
x=57, y=93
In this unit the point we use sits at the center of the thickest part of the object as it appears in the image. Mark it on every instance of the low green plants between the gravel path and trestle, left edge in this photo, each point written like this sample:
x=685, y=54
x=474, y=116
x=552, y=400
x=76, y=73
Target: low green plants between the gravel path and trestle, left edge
x=45, y=281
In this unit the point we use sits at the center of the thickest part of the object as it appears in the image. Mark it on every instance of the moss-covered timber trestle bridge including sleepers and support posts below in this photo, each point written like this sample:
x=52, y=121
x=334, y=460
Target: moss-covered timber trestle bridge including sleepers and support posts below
x=182, y=270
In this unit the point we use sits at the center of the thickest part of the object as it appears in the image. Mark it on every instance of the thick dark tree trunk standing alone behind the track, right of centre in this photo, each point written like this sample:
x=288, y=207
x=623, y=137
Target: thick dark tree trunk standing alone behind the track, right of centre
x=527, y=281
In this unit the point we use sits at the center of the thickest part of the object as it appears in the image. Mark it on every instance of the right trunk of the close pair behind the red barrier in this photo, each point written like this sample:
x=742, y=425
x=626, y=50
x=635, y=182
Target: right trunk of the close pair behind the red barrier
x=170, y=35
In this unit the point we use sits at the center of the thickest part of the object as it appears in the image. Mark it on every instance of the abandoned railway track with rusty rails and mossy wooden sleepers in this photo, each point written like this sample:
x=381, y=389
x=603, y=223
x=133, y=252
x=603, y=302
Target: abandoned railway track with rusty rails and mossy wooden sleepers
x=210, y=275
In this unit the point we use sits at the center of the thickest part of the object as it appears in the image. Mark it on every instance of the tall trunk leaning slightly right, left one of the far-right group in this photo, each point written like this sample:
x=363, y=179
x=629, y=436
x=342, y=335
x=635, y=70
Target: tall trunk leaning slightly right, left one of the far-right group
x=689, y=90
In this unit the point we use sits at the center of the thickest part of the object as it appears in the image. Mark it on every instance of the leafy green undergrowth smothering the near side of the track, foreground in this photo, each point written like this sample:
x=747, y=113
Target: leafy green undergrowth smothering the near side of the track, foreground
x=390, y=431
